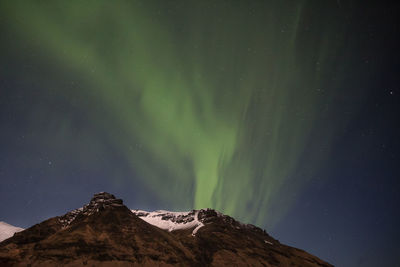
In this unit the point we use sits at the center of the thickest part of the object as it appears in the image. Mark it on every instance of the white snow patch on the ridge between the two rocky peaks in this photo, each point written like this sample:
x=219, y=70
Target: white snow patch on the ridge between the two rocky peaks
x=170, y=220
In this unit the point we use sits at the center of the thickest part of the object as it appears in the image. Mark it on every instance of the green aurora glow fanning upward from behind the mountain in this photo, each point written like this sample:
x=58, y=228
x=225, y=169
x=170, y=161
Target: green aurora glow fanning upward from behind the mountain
x=220, y=97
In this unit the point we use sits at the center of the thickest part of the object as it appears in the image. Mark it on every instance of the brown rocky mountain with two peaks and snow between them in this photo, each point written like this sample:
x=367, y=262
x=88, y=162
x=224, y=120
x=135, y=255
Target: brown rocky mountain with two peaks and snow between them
x=106, y=233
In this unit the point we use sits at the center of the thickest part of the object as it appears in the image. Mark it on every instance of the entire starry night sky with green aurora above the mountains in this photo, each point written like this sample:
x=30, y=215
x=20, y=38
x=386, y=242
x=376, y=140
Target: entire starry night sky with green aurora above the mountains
x=283, y=114
